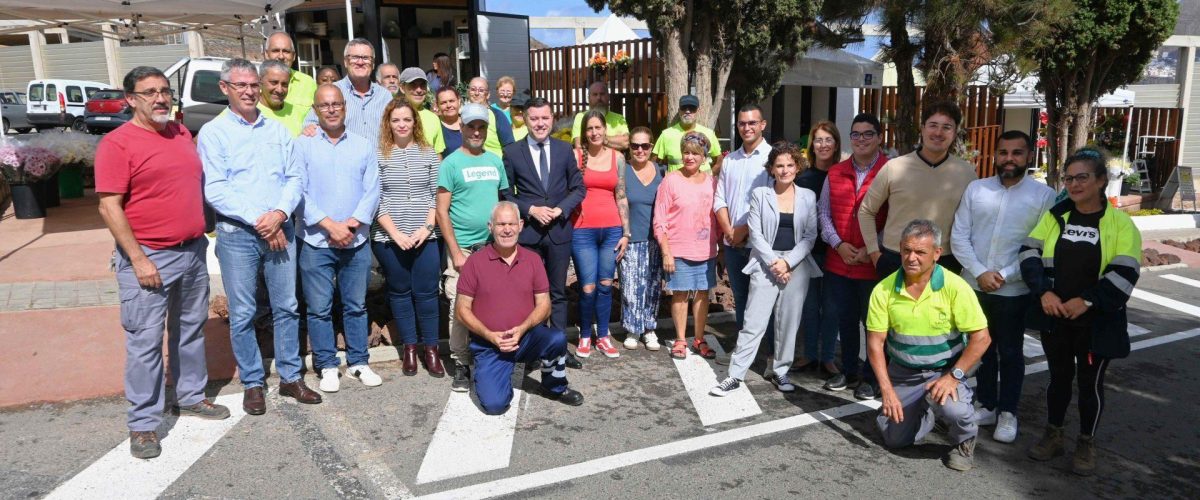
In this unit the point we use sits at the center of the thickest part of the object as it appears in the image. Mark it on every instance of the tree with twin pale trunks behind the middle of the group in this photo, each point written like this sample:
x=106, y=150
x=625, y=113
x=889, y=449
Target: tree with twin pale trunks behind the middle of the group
x=704, y=43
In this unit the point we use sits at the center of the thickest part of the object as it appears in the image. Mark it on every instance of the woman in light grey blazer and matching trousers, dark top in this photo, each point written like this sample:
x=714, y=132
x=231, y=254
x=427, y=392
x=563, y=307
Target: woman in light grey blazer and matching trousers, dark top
x=783, y=230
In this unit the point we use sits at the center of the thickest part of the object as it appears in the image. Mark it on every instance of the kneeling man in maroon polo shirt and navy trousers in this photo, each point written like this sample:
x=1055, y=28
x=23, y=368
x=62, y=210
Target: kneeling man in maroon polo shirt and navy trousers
x=503, y=302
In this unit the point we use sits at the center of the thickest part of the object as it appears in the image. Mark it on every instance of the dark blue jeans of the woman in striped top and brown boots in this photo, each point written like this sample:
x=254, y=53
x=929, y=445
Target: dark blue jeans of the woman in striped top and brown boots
x=413, y=279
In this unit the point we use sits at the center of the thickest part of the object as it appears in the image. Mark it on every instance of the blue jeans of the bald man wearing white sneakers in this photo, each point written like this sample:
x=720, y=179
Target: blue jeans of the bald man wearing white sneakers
x=352, y=269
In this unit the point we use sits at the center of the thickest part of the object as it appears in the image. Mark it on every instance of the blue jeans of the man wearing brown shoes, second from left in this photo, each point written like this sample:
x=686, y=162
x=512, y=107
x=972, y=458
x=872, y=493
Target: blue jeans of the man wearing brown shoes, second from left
x=243, y=255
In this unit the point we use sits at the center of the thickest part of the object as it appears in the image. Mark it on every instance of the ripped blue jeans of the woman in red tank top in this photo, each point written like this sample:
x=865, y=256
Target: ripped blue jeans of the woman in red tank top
x=595, y=251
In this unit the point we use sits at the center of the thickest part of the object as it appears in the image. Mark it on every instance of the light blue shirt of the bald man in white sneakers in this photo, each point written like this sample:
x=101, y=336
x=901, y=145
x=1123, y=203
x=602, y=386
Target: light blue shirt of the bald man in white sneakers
x=341, y=182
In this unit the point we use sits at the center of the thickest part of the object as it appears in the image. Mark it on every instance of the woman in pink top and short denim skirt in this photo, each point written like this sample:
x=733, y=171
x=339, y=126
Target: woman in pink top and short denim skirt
x=687, y=232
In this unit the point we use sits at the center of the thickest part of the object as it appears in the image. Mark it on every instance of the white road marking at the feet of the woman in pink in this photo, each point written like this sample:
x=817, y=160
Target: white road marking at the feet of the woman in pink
x=699, y=378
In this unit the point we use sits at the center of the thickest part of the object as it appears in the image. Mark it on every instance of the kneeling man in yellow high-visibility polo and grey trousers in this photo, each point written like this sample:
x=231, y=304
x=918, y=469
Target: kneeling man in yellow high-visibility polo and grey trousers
x=921, y=314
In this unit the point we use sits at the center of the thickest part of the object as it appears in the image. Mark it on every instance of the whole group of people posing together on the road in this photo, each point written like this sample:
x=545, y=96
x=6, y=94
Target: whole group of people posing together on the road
x=478, y=202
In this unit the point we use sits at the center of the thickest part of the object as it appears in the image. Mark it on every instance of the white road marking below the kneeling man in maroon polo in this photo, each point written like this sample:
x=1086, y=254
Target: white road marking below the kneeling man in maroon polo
x=469, y=441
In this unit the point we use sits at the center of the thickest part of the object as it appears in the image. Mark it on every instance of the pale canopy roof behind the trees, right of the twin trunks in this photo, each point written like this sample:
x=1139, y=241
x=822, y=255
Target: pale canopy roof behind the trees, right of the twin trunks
x=821, y=67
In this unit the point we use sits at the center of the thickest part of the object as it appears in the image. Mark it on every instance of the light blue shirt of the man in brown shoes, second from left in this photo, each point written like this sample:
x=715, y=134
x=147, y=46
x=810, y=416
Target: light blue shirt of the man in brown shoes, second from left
x=248, y=167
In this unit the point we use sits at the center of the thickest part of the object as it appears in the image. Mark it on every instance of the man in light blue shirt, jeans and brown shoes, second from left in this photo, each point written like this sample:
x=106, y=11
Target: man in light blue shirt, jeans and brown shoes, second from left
x=254, y=186
